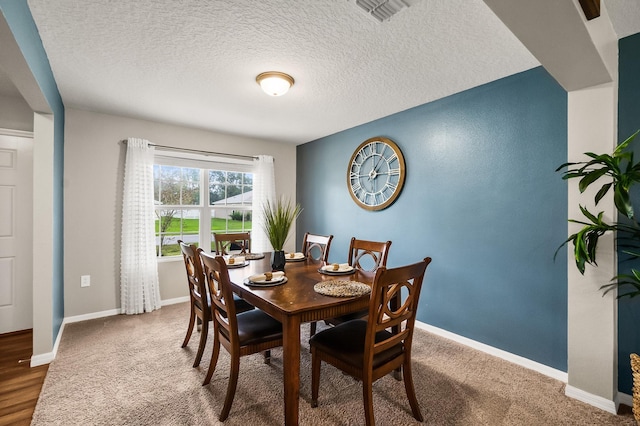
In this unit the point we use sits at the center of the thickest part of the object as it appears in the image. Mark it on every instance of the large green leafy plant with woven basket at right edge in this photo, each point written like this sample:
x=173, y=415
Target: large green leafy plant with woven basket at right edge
x=621, y=175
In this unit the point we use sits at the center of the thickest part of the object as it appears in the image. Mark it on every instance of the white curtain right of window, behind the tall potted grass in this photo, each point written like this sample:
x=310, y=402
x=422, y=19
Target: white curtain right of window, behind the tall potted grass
x=264, y=189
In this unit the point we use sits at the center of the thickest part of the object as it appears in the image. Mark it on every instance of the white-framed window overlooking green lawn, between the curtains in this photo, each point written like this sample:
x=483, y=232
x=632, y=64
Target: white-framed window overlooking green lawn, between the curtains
x=186, y=197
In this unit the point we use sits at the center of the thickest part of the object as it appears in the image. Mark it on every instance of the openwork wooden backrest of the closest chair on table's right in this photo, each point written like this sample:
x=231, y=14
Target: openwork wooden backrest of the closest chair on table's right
x=384, y=312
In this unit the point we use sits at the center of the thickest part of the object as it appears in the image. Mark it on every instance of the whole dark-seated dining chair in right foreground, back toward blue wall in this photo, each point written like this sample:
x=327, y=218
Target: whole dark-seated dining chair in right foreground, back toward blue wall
x=365, y=349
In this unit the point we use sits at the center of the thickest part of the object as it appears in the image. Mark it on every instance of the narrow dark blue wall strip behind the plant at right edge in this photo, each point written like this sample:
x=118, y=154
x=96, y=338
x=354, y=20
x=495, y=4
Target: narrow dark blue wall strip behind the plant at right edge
x=628, y=123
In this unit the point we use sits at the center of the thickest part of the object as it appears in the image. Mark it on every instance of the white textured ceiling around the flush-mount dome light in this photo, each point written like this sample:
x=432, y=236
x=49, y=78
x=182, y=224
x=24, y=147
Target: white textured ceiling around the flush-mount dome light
x=194, y=62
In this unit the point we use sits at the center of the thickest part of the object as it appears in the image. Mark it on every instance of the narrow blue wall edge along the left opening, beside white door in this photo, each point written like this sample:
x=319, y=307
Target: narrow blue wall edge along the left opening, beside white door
x=20, y=20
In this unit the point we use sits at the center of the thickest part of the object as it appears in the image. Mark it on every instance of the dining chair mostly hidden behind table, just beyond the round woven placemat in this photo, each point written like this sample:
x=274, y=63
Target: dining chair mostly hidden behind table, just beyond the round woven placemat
x=366, y=256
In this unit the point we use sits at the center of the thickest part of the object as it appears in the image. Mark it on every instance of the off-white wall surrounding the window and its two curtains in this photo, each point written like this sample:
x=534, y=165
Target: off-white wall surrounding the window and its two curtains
x=93, y=179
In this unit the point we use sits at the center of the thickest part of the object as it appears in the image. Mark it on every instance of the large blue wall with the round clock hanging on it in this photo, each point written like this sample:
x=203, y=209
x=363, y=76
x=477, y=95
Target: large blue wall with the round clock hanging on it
x=481, y=197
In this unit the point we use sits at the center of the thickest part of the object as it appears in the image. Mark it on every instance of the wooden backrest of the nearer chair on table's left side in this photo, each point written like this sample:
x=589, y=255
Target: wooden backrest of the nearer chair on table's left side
x=223, y=308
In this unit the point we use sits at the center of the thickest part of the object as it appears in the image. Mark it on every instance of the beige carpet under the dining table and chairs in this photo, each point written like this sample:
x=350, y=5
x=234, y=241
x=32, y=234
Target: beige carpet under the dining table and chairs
x=130, y=370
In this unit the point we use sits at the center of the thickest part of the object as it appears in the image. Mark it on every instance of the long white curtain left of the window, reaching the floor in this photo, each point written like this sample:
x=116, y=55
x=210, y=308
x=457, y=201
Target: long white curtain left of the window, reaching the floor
x=139, y=287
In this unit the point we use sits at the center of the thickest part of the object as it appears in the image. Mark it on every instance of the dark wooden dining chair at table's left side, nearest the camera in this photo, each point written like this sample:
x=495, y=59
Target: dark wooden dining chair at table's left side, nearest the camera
x=241, y=334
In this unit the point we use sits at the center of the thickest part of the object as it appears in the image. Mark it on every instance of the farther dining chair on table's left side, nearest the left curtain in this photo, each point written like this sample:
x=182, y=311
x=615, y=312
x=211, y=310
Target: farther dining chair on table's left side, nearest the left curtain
x=200, y=311
